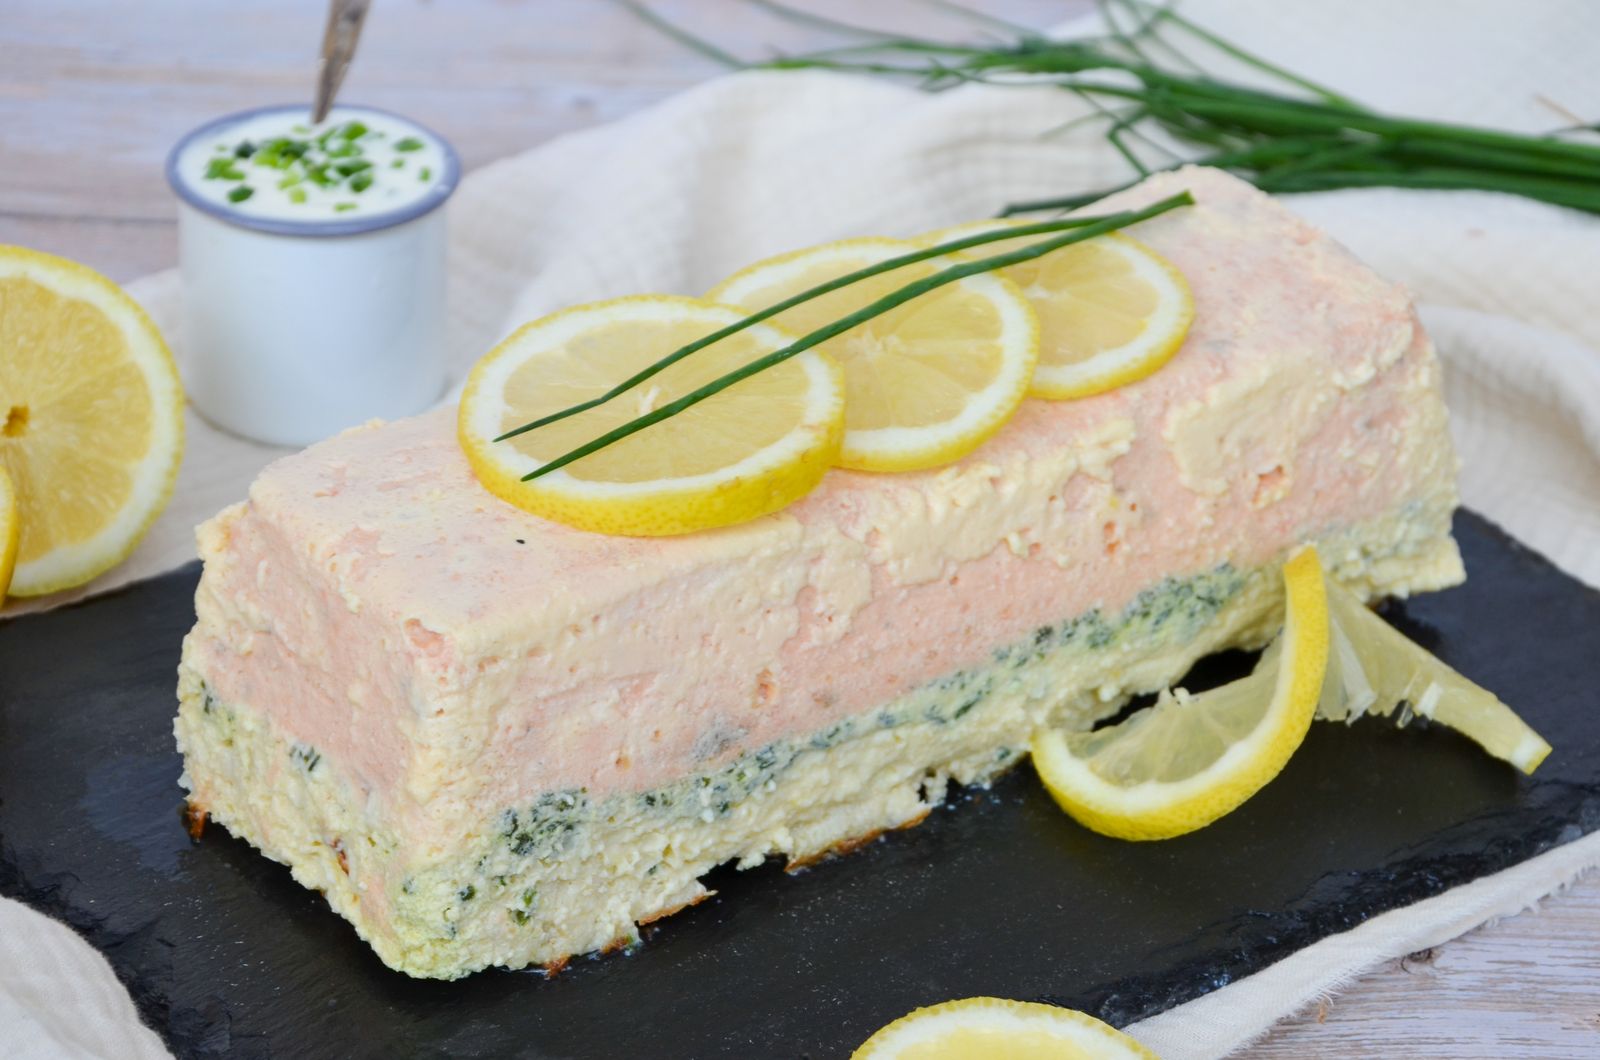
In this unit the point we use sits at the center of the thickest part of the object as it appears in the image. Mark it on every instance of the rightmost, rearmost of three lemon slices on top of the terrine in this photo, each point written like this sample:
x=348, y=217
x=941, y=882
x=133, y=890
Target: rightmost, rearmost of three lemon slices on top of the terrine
x=1111, y=311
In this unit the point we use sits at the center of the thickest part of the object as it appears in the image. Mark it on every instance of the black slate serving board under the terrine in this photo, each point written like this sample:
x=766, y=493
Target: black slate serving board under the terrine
x=998, y=894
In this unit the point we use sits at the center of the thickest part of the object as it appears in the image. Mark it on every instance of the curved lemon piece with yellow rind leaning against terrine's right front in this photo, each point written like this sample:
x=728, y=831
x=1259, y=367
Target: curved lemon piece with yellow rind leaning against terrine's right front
x=1190, y=760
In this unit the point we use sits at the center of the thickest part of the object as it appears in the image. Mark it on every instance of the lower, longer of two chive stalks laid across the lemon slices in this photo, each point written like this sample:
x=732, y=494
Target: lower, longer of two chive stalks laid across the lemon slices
x=862, y=316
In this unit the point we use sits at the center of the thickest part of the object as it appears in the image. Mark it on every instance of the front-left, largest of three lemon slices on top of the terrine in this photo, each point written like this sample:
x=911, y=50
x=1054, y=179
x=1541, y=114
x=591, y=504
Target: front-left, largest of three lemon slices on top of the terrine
x=750, y=451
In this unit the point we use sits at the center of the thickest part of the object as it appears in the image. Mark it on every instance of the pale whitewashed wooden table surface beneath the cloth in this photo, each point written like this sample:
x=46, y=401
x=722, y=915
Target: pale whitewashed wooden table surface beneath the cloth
x=94, y=92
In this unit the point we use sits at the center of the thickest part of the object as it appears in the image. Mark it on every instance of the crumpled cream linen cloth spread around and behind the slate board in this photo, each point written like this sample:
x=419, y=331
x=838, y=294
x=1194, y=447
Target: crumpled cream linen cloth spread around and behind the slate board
x=748, y=166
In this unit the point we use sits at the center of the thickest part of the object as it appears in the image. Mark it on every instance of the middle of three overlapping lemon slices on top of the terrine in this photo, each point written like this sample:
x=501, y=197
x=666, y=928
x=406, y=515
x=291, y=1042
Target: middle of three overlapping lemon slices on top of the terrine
x=927, y=382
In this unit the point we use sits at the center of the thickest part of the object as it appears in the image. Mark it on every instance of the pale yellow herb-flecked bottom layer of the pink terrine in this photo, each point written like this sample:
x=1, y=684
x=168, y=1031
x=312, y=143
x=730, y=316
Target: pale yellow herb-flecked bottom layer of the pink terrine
x=570, y=872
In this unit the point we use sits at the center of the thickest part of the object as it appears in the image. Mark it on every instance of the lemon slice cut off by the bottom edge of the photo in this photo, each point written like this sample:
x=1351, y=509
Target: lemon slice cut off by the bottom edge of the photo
x=994, y=1029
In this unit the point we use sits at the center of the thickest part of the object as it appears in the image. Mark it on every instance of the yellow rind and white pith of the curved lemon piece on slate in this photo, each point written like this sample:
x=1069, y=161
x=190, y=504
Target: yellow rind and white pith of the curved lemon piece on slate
x=1161, y=809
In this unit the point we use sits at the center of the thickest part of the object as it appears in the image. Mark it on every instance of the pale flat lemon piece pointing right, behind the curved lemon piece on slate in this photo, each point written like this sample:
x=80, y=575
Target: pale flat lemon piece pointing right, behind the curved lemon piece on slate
x=1374, y=669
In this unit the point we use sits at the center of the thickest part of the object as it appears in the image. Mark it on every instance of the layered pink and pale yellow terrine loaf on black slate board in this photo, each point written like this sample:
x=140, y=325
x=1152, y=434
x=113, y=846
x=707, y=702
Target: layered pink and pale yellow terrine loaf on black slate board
x=494, y=741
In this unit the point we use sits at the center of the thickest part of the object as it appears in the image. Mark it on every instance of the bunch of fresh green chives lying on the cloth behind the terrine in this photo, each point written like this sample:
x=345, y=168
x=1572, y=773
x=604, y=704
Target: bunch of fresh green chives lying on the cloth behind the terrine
x=1148, y=90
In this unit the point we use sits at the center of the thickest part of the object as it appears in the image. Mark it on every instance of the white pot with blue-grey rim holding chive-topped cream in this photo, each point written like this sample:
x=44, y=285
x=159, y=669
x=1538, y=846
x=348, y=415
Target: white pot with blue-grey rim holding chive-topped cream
x=298, y=327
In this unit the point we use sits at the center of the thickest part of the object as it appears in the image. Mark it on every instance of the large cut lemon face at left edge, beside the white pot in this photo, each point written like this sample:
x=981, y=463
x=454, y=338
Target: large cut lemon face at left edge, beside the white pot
x=92, y=419
